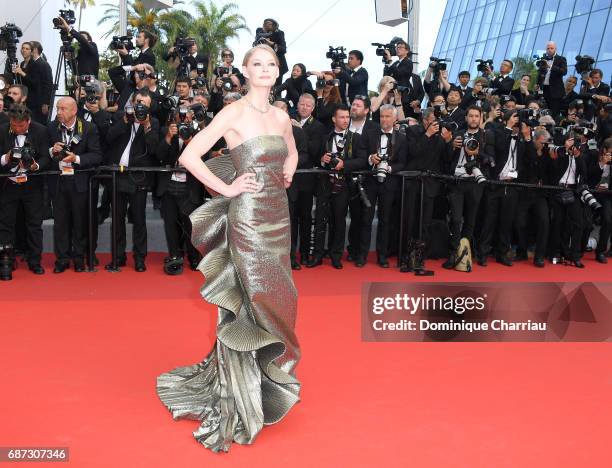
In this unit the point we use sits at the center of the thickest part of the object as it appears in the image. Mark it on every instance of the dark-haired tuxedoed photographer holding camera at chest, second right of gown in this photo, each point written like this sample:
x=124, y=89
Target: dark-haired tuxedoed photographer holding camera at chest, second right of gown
x=341, y=152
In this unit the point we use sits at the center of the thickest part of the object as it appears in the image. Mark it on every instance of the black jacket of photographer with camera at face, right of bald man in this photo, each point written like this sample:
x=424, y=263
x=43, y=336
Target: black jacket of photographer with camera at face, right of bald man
x=142, y=152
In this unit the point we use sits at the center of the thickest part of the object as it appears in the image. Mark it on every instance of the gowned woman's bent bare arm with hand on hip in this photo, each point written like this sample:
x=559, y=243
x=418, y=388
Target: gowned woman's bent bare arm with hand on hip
x=202, y=142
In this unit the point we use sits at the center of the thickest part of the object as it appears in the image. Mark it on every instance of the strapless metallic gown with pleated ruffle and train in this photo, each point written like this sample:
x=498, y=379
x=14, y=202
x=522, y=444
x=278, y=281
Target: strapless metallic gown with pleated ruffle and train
x=248, y=379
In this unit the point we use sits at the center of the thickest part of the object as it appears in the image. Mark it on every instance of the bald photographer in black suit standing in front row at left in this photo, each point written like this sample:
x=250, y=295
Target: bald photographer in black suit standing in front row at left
x=76, y=146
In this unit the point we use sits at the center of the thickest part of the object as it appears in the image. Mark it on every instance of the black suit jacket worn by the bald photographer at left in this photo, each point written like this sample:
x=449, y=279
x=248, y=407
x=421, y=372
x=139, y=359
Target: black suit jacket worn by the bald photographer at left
x=88, y=150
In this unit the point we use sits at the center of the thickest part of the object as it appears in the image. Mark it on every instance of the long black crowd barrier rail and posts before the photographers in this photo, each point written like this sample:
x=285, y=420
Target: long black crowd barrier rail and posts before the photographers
x=110, y=173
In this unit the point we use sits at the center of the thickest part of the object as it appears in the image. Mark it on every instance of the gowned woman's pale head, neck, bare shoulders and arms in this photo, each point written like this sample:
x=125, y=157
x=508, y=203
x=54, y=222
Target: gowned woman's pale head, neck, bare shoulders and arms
x=237, y=123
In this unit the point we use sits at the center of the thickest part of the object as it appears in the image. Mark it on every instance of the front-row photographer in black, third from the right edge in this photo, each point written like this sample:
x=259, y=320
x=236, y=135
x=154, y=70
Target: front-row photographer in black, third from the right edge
x=532, y=203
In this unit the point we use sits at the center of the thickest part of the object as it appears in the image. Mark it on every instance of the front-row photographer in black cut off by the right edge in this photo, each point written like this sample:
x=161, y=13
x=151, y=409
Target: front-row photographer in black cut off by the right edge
x=600, y=180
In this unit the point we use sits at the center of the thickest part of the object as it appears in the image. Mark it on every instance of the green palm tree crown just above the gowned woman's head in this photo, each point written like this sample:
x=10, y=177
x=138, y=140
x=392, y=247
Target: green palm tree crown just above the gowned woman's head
x=214, y=26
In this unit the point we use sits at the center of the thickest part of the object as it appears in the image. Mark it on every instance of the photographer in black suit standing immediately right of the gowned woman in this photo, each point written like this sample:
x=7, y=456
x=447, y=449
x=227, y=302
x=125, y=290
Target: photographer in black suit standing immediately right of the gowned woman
x=300, y=209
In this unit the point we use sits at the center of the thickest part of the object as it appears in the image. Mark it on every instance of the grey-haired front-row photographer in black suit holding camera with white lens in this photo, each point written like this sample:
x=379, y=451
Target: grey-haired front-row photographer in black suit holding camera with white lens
x=387, y=152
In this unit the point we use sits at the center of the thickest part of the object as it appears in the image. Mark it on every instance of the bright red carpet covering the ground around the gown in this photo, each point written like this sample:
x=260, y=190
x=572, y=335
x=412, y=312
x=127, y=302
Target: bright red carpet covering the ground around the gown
x=81, y=352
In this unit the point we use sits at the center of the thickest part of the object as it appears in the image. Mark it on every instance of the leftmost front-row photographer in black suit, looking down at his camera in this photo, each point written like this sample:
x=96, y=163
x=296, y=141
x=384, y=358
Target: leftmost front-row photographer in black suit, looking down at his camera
x=24, y=149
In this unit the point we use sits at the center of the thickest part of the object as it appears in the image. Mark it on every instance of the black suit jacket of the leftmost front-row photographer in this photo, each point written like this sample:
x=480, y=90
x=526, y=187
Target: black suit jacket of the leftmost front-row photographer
x=39, y=140
